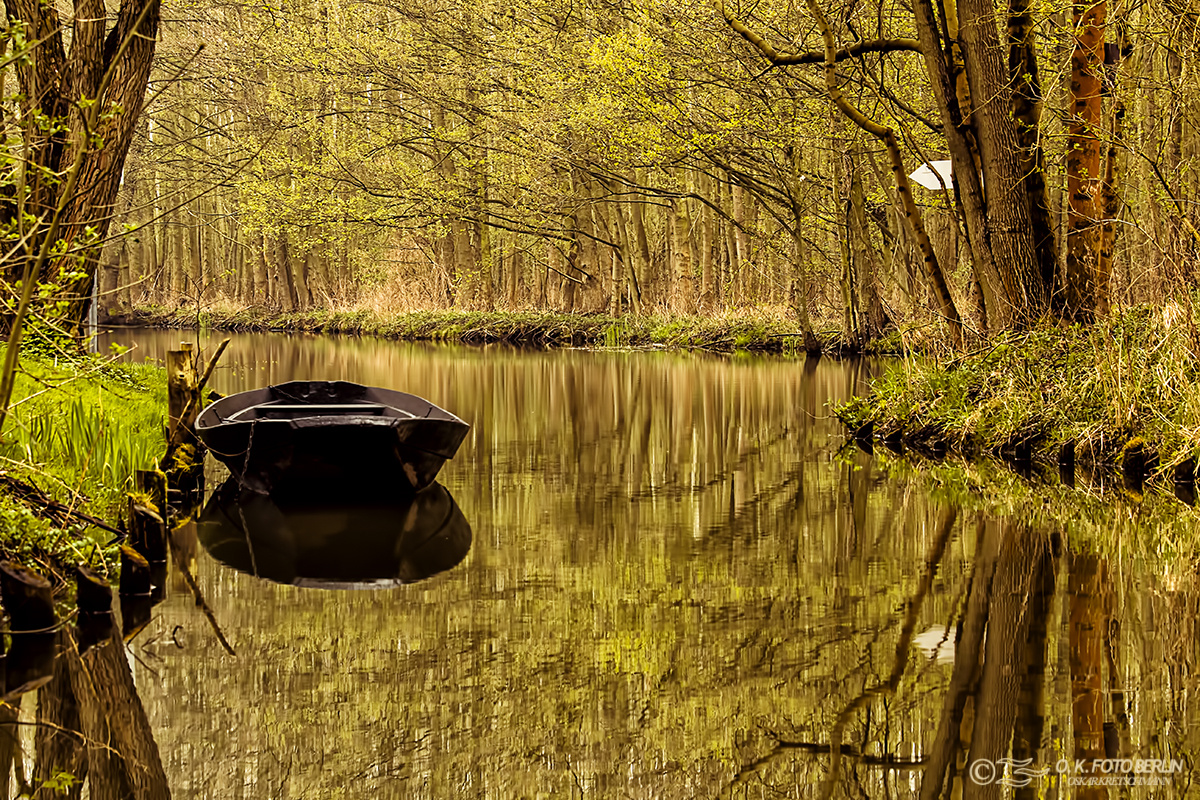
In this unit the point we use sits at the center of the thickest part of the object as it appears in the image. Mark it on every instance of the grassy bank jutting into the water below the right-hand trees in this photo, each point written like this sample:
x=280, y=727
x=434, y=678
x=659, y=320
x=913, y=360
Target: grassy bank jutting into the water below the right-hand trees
x=1125, y=389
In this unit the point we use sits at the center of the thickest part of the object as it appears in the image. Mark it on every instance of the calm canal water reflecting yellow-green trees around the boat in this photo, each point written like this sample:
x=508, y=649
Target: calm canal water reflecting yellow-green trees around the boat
x=679, y=584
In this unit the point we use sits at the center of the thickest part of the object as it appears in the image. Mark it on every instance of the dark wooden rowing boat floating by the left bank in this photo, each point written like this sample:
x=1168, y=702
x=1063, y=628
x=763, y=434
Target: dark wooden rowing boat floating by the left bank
x=331, y=437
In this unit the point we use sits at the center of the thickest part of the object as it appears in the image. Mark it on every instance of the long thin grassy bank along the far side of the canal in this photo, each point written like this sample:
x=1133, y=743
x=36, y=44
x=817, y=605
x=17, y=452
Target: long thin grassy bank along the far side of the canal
x=766, y=333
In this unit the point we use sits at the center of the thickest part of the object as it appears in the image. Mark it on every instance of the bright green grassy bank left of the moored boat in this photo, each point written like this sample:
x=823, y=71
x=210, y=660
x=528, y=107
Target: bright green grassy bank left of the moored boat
x=79, y=430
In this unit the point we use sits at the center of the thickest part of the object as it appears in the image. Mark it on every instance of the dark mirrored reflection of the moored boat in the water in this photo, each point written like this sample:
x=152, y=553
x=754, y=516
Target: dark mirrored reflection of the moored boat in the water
x=344, y=545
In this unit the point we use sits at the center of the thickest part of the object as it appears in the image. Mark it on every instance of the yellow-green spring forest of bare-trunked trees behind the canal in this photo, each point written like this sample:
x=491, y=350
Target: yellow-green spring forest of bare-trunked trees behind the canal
x=623, y=158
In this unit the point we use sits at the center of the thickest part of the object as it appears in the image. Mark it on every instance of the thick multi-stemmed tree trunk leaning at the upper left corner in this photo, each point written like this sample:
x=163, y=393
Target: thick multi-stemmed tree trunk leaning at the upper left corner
x=82, y=85
